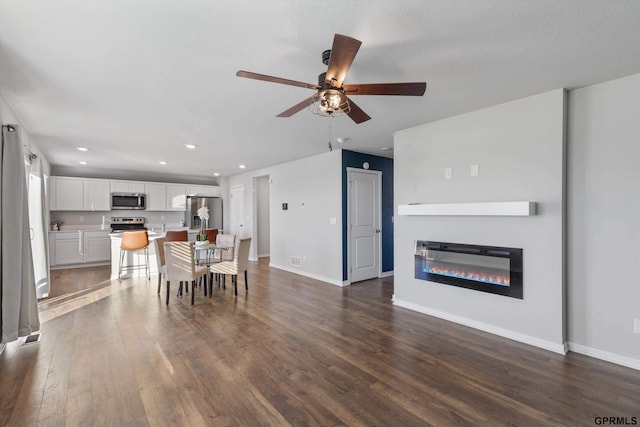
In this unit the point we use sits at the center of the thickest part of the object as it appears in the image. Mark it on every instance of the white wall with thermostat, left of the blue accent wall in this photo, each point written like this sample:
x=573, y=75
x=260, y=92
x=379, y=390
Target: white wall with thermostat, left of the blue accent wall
x=303, y=230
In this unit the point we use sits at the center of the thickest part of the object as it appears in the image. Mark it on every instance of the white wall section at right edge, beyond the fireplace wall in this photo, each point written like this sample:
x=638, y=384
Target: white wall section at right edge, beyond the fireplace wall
x=604, y=220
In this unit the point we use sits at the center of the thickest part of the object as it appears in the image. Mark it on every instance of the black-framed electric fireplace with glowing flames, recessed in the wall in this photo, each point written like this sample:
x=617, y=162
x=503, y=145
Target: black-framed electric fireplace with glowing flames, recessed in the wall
x=492, y=269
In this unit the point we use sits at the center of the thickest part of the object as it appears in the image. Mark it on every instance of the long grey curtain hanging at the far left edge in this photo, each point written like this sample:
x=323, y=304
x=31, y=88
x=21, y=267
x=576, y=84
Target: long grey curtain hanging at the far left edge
x=19, y=306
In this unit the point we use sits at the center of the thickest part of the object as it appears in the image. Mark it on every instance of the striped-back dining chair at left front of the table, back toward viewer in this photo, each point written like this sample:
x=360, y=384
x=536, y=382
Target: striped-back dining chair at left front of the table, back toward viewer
x=181, y=266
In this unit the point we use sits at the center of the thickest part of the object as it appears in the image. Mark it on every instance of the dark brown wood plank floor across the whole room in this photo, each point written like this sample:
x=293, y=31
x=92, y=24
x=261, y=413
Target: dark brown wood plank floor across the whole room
x=293, y=351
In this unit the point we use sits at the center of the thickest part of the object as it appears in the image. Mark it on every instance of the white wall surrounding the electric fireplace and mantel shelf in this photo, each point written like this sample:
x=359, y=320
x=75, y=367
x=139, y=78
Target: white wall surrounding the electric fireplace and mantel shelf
x=519, y=147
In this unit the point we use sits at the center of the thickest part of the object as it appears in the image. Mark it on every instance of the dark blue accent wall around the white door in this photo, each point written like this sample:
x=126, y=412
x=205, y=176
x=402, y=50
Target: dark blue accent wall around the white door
x=351, y=159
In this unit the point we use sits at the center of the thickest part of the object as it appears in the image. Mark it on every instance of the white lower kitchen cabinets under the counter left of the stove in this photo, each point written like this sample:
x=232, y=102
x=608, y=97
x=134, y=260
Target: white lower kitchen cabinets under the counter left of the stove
x=79, y=247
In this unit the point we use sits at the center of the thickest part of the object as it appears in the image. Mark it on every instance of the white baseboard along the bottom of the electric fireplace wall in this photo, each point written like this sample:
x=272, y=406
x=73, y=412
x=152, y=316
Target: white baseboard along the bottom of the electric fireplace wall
x=516, y=336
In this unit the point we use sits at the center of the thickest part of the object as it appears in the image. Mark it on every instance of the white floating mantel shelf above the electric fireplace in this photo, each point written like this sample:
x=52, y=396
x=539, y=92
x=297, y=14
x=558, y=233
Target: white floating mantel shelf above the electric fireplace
x=469, y=209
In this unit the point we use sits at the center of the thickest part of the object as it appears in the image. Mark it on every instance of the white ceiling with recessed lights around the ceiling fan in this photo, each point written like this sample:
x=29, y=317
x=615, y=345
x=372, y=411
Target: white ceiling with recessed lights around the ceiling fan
x=136, y=80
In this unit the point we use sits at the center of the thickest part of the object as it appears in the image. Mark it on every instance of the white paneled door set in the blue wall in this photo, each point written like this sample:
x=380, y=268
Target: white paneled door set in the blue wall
x=364, y=224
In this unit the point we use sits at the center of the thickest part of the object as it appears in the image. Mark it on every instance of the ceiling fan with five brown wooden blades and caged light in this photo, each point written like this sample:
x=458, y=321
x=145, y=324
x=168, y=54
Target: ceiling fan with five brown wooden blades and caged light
x=331, y=98
